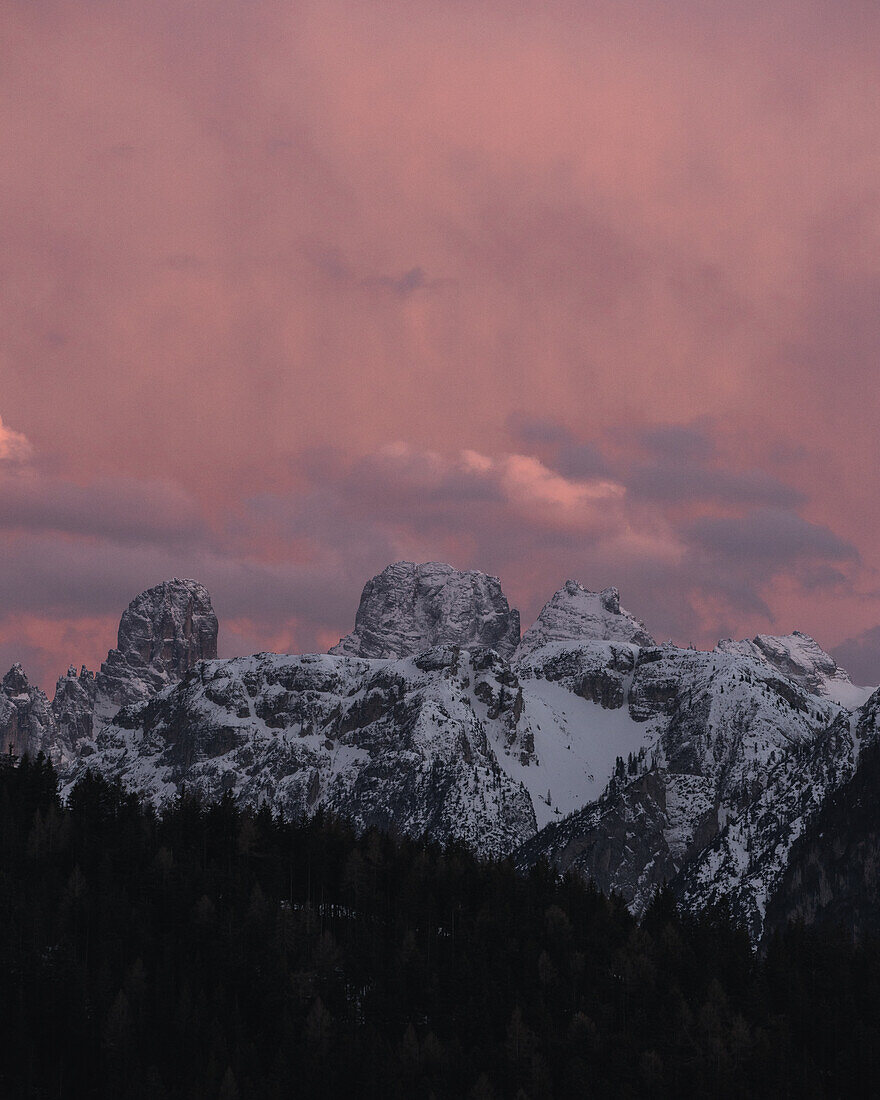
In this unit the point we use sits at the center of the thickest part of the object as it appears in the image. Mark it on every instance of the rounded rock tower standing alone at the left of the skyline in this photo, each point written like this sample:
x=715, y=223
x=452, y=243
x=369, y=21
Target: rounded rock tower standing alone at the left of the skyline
x=163, y=633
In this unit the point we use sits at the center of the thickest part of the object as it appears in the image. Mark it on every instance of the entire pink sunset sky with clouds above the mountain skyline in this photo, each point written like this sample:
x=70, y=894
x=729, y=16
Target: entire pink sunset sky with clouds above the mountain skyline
x=291, y=291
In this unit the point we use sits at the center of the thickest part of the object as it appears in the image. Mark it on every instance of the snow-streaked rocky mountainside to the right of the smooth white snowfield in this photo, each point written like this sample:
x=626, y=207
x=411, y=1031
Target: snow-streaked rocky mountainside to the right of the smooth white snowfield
x=722, y=730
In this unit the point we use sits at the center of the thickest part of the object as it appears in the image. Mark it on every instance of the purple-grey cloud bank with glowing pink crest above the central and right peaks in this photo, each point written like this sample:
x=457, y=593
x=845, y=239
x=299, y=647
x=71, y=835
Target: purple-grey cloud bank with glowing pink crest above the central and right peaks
x=518, y=516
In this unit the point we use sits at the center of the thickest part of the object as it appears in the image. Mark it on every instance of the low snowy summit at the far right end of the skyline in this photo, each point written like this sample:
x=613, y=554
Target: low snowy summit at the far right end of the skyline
x=802, y=659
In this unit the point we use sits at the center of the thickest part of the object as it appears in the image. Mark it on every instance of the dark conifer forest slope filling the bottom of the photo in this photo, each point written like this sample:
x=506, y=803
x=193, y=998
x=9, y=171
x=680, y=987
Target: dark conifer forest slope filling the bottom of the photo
x=219, y=953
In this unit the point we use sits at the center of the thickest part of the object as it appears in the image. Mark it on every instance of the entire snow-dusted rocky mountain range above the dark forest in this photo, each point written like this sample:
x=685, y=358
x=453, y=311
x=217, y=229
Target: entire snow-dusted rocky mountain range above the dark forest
x=585, y=743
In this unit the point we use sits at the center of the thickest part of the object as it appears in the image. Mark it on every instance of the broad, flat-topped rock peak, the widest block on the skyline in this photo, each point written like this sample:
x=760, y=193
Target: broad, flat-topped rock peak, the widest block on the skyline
x=409, y=609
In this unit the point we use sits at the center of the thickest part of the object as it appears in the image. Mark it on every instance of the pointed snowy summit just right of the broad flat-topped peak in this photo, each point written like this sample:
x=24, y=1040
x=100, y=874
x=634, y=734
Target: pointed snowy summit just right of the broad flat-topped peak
x=577, y=614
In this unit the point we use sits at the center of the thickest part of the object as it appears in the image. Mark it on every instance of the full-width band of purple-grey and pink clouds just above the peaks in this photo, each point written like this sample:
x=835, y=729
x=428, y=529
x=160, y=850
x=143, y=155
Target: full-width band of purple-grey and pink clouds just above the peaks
x=292, y=565
